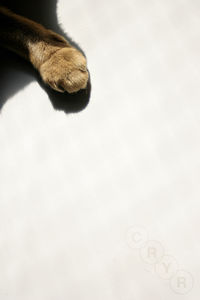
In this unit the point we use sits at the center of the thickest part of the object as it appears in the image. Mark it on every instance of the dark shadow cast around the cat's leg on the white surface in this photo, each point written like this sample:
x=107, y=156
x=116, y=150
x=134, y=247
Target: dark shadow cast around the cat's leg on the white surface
x=15, y=73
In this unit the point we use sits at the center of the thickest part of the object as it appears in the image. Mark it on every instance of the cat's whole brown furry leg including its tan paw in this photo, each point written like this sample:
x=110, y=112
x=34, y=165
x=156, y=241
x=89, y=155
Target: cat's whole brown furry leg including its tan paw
x=60, y=65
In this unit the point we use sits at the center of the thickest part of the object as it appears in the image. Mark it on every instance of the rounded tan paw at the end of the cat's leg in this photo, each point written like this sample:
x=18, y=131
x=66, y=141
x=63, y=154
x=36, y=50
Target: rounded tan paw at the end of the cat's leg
x=65, y=70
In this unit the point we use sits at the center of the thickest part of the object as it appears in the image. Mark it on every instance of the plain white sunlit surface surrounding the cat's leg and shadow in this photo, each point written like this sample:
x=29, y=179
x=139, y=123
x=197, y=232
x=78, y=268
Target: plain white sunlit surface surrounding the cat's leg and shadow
x=73, y=186
